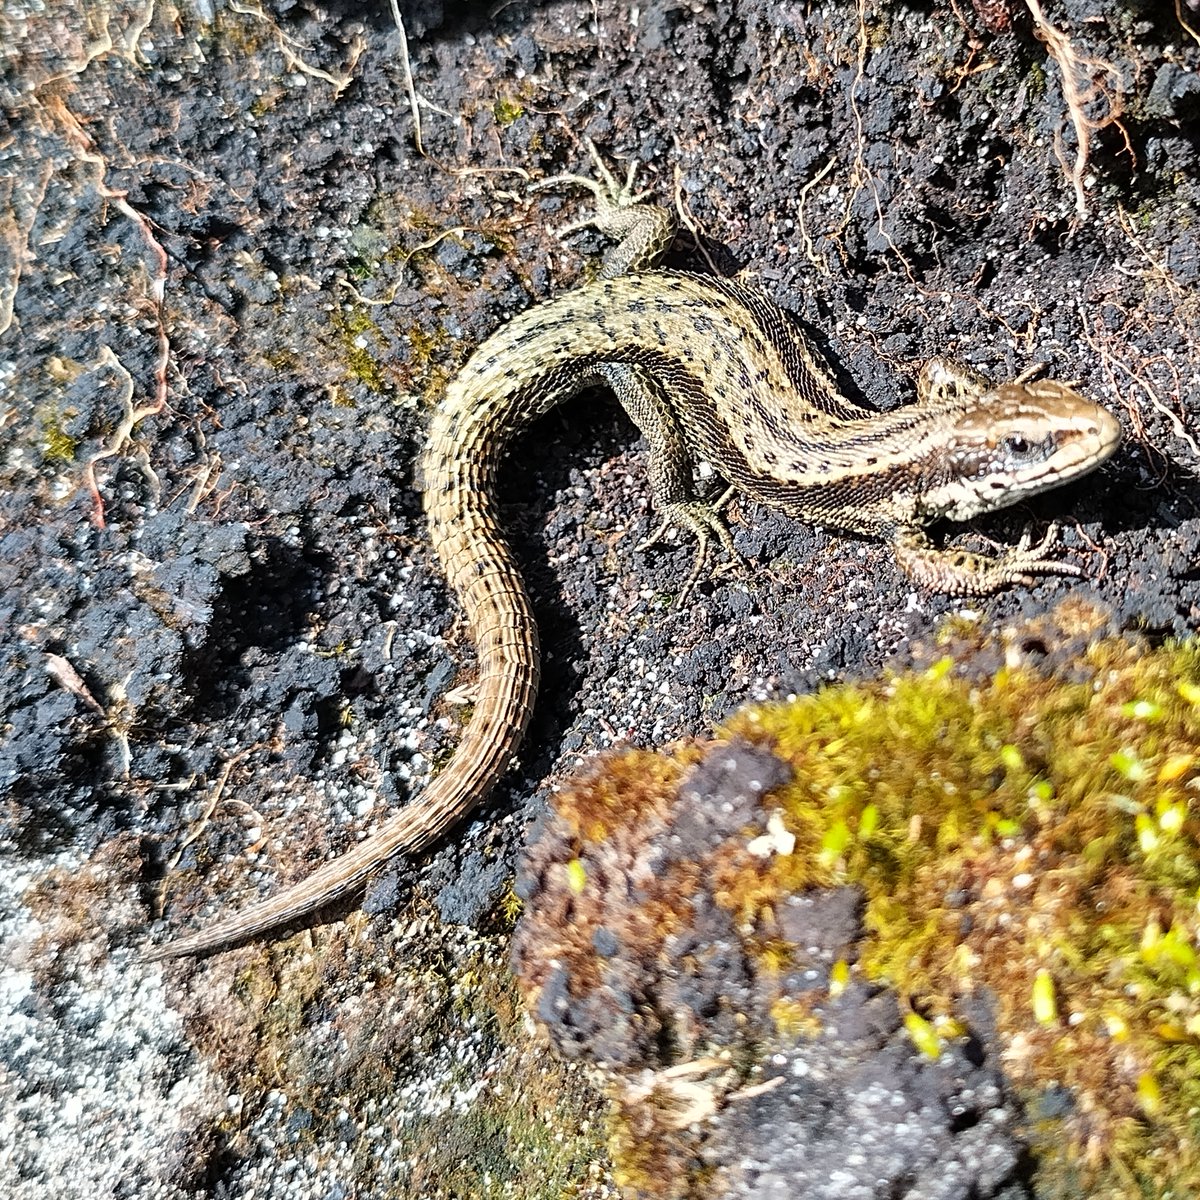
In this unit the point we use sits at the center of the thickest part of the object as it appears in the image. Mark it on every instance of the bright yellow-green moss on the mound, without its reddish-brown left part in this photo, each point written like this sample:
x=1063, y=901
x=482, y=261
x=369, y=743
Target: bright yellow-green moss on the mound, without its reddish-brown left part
x=1037, y=837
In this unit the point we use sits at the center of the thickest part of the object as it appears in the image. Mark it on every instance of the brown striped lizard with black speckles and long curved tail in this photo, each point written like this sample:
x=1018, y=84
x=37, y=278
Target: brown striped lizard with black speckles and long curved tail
x=712, y=373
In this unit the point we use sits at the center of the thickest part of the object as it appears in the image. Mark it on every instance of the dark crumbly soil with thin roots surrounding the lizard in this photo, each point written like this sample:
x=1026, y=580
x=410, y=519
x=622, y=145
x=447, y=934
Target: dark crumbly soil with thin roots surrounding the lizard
x=237, y=286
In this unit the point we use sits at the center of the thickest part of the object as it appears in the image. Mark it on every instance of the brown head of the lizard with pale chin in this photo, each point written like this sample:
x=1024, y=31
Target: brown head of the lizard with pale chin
x=1016, y=441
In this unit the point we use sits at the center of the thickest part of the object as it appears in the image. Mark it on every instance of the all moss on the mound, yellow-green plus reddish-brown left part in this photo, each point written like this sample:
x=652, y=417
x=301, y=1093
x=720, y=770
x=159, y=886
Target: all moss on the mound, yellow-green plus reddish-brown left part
x=1023, y=832
